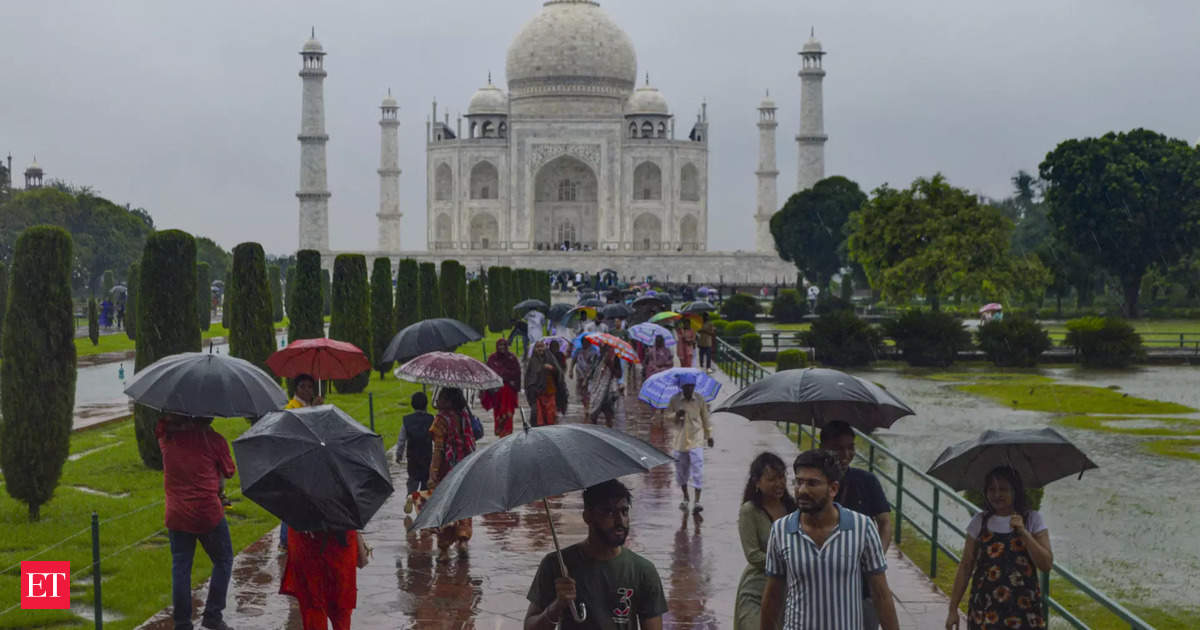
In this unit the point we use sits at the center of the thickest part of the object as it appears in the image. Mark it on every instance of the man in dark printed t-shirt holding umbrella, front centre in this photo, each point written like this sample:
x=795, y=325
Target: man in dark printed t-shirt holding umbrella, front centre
x=619, y=589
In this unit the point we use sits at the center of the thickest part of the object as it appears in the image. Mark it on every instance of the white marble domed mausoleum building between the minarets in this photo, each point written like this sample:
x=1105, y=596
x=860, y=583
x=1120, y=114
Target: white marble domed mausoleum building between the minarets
x=572, y=157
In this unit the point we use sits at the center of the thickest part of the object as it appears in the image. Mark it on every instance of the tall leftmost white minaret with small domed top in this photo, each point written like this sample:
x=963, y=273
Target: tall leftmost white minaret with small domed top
x=314, y=191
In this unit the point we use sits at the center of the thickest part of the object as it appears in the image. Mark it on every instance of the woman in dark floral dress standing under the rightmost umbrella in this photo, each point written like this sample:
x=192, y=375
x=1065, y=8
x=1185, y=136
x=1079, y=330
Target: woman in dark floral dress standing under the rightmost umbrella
x=1007, y=544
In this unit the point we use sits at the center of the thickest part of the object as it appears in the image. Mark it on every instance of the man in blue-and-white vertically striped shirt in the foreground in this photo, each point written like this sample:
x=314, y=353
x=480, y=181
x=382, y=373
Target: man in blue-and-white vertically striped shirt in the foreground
x=818, y=556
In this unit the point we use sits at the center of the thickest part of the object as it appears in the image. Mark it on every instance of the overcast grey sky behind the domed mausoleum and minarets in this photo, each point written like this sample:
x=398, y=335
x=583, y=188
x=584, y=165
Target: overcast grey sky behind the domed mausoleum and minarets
x=191, y=110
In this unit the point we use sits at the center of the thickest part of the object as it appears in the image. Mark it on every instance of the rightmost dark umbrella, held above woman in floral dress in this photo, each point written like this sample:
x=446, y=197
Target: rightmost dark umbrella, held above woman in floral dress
x=1040, y=457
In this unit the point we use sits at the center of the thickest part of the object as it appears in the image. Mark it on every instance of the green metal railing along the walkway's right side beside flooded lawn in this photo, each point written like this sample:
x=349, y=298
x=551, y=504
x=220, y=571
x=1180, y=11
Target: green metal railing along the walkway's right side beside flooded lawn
x=903, y=476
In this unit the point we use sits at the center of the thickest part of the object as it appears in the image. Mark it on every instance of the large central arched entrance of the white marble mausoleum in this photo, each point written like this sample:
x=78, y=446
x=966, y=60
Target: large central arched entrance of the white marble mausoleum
x=567, y=211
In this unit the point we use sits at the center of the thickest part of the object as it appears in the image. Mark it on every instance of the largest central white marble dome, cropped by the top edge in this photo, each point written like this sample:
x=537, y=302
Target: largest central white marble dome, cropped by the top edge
x=572, y=47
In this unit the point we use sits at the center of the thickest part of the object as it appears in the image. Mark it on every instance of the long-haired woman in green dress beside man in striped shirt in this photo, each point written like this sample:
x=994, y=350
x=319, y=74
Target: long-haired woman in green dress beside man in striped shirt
x=764, y=502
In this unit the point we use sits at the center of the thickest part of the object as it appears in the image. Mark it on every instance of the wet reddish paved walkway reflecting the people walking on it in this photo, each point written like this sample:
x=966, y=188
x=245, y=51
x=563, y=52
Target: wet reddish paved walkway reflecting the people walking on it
x=699, y=560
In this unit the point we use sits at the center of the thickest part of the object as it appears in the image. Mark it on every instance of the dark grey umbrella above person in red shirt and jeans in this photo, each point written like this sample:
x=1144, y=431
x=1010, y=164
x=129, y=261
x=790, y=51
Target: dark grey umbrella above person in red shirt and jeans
x=207, y=386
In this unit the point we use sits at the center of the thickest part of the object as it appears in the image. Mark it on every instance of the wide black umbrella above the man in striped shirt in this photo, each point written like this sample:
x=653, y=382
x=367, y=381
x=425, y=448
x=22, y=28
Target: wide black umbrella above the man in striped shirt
x=815, y=397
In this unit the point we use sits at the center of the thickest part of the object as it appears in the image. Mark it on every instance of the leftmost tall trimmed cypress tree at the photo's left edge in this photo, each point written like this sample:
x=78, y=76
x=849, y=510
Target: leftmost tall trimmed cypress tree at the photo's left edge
x=38, y=379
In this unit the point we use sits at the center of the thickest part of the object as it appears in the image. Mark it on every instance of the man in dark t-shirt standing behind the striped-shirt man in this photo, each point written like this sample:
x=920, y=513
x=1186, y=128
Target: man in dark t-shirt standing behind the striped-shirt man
x=860, y=491
